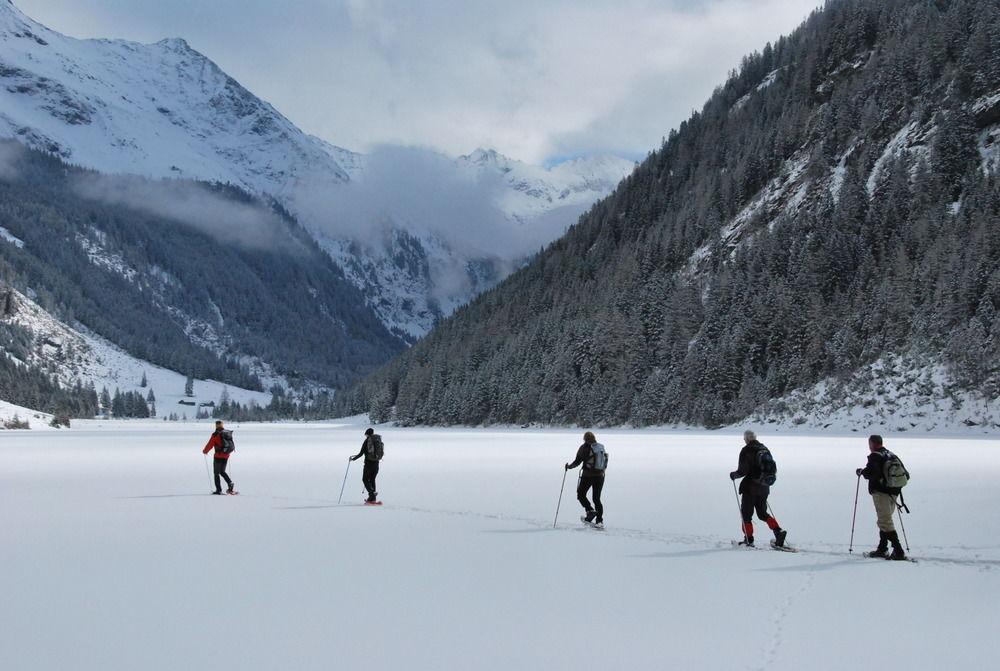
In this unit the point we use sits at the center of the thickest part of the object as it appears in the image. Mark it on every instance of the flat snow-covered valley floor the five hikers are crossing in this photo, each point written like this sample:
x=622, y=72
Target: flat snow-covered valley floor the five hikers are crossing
x=116, y=557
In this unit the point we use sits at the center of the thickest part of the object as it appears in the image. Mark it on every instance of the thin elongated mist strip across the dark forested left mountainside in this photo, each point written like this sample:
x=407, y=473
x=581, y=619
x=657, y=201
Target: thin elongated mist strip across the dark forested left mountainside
x=195, y=205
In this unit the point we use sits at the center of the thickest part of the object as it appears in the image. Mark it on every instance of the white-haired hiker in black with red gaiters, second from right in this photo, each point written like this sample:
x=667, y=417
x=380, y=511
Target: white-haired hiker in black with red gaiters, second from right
x=759, y=472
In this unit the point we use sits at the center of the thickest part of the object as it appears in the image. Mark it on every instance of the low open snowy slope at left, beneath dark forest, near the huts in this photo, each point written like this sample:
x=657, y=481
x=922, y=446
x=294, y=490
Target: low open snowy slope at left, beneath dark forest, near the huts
x=76, y=354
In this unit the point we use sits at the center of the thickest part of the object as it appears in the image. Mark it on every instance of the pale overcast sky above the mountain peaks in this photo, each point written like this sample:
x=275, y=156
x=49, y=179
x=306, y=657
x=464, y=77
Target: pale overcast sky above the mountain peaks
x=538, y=80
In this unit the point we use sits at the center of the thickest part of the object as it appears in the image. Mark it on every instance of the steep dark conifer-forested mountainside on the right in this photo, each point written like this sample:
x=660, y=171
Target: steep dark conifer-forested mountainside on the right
x=660, y=307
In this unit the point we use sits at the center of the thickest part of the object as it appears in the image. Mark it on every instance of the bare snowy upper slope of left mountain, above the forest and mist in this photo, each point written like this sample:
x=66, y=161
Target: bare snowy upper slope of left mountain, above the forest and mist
x=157, y=110
